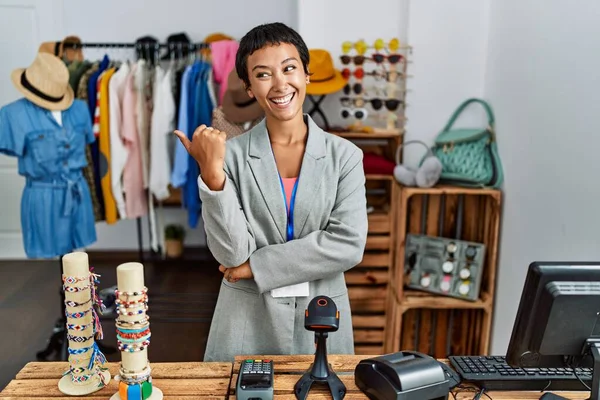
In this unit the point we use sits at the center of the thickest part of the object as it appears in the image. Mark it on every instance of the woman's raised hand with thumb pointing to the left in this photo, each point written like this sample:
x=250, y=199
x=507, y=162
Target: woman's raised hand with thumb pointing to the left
x=207, y=147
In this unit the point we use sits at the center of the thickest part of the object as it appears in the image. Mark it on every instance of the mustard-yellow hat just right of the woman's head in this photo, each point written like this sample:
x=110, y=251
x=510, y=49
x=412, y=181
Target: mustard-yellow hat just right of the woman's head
x=324, y=79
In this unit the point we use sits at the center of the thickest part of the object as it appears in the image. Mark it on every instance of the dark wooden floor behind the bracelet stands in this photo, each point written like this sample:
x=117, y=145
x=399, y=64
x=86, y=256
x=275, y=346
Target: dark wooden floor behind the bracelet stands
x=182, y=296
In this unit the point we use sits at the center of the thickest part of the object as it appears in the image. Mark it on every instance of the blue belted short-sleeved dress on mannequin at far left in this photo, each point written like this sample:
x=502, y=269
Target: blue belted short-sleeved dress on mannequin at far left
x=56, y=208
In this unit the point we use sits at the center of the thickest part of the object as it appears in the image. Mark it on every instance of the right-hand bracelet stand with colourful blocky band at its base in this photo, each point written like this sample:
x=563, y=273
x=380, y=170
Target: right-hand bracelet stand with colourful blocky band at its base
x=133, y=335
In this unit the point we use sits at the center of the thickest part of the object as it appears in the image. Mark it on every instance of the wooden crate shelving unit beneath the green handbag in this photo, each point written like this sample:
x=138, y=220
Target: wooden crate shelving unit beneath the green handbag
x=434, y=324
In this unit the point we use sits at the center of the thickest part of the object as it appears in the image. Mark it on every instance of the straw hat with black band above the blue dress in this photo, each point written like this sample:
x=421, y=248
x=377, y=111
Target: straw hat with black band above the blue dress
x=45, y=82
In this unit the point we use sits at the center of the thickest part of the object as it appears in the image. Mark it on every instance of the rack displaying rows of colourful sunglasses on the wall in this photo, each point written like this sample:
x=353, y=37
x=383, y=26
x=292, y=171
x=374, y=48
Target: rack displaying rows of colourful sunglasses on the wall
x=376, y=88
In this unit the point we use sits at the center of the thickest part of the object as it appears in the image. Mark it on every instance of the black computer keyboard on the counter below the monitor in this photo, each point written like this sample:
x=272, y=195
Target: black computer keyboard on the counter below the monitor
x=493, y=373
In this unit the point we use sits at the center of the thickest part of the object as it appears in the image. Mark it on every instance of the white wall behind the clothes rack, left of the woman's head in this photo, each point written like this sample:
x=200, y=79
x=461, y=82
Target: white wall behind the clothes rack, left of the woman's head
x=125, y=21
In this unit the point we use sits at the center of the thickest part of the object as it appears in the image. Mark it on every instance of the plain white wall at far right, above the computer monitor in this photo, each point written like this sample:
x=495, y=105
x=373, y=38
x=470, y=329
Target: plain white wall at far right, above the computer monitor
x=542, y=79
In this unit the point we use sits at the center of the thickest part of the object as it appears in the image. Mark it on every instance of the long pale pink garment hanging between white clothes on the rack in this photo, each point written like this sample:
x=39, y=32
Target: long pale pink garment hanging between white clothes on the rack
x=136, y=200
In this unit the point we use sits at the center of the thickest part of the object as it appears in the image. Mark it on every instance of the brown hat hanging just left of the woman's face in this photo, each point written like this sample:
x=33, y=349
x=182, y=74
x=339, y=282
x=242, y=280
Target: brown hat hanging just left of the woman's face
x=237, y=106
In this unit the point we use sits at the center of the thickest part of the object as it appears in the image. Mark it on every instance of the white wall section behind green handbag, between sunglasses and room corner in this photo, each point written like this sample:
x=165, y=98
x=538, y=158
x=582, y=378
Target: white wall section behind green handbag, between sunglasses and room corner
x=449, y=58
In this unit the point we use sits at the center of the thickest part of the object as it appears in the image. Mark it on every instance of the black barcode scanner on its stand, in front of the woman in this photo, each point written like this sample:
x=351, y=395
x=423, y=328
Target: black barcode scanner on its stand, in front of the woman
x=321, y=317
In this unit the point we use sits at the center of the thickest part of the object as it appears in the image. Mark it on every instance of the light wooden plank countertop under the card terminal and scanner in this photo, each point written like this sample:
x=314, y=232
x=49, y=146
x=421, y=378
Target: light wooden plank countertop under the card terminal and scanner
x=199, y=380
